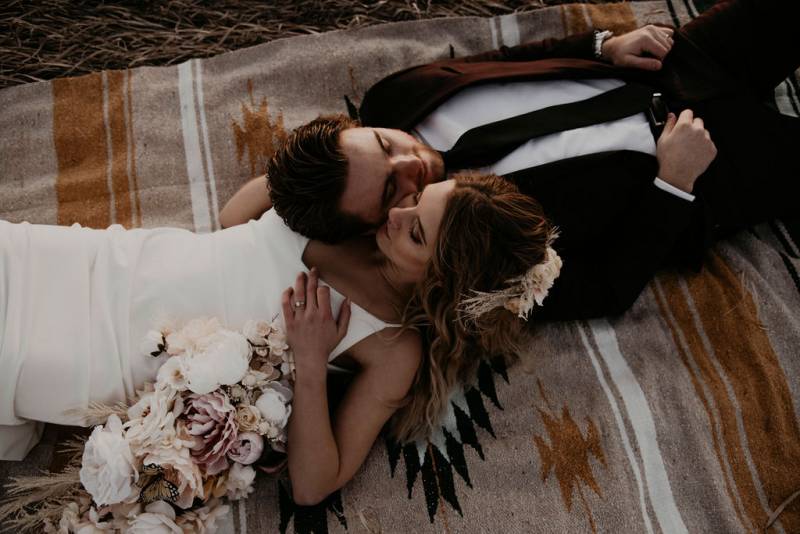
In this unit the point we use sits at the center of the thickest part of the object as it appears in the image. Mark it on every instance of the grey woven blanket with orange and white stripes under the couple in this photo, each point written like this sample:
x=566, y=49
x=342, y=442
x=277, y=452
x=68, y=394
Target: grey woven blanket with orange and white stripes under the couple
x=679, y=416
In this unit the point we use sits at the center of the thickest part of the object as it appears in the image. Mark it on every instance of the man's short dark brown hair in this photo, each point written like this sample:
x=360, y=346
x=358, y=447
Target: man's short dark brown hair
x=307, y=177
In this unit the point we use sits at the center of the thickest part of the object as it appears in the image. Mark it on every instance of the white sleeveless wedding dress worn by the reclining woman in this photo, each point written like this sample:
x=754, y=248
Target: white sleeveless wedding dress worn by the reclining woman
x=76, y=304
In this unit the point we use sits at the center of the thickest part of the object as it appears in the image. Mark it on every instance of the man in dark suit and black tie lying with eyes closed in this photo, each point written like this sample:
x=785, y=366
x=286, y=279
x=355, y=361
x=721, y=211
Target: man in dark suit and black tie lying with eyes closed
x=642, y=147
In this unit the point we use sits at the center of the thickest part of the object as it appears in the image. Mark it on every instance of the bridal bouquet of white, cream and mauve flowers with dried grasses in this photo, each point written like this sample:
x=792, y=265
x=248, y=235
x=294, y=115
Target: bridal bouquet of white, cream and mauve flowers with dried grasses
x=164, y=462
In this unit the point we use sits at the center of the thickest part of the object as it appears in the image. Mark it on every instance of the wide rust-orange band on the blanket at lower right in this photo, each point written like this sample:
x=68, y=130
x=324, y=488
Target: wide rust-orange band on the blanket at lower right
x=728, y=319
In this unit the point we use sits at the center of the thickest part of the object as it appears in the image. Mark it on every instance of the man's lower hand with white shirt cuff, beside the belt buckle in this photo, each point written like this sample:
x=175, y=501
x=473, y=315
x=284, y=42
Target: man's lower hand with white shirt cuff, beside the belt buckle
x=684, y=150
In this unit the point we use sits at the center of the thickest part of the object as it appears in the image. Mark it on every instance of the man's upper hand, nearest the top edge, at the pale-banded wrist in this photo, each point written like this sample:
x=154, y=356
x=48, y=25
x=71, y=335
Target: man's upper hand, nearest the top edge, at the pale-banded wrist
x=644, y=48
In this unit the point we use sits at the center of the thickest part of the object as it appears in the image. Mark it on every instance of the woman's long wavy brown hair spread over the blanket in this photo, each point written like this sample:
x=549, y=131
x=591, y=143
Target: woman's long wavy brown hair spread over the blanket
x=490, y=232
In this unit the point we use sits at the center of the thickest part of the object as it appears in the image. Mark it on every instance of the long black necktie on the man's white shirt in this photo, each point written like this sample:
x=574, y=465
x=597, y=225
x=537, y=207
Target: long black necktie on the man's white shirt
x=487, y=144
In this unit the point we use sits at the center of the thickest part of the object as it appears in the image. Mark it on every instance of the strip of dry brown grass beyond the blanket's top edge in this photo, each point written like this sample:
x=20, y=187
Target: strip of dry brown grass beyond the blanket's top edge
x=45, y=39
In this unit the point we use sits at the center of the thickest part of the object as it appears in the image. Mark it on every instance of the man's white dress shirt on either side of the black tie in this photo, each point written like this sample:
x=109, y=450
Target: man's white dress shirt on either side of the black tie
x=483, y=104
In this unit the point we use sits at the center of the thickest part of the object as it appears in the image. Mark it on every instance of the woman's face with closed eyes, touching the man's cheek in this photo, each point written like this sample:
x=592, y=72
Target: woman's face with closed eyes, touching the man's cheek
x=408, y=236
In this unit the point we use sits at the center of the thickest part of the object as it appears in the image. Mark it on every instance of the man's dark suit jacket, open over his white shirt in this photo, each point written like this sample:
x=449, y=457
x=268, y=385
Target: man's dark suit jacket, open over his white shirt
x=617, y=227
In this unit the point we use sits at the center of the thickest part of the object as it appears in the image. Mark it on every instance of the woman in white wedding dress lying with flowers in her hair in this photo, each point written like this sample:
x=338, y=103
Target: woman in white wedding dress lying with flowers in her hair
x=427, y=296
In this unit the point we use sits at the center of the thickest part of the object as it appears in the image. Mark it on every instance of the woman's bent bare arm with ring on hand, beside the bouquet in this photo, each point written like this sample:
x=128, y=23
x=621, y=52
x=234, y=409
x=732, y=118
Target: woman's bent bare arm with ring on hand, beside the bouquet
x=324, y=456
